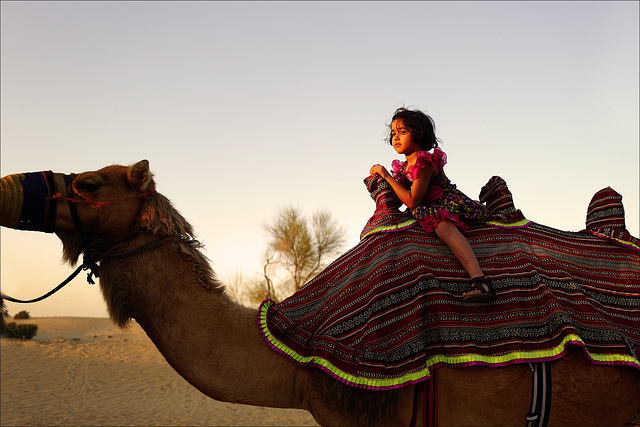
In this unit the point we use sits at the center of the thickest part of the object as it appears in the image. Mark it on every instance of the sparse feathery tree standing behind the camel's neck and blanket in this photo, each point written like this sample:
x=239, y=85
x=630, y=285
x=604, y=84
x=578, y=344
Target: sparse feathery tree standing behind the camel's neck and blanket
x=298, y=248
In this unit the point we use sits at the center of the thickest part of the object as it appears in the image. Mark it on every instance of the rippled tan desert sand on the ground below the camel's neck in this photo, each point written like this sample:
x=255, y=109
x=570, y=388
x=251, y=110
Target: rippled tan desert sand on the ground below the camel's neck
x=88, y=372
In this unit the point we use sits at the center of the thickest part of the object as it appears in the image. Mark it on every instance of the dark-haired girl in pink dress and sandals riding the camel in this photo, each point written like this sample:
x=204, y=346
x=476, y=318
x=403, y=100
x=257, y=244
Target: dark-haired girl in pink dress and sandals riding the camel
x=420, y=183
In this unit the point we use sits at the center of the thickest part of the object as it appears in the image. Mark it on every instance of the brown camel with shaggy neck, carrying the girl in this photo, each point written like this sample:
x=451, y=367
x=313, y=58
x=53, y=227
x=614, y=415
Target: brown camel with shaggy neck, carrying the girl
x=152, y=271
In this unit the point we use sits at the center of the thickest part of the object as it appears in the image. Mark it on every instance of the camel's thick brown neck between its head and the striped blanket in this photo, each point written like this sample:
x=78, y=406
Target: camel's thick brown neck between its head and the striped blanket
x=214, y=343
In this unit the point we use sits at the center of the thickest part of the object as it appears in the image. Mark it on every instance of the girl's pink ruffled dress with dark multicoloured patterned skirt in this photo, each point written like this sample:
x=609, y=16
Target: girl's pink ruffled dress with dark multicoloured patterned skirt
x=442, y=201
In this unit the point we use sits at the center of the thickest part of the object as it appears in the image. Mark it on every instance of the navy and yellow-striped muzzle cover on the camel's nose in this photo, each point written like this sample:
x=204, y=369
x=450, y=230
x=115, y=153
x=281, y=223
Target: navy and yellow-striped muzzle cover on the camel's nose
x=25, y=203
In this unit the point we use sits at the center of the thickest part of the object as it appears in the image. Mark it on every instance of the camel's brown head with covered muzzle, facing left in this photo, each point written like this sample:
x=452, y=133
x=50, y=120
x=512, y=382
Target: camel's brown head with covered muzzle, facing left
x=89, y=210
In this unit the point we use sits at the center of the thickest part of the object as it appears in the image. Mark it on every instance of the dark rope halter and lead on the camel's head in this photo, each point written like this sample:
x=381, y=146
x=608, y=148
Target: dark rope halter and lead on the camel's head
x=91, y=256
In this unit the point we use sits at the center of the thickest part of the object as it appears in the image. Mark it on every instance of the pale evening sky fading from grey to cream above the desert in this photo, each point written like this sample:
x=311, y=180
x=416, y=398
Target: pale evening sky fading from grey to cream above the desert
x=243, y=108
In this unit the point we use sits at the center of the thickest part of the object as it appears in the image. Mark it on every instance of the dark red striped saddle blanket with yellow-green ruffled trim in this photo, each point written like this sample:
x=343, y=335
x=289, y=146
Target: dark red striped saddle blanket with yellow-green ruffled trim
x=390, y=310
